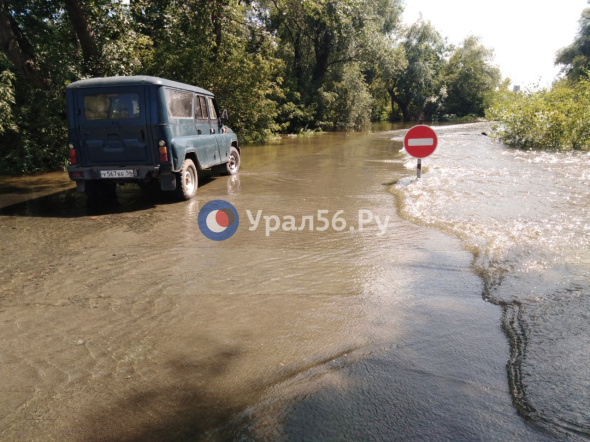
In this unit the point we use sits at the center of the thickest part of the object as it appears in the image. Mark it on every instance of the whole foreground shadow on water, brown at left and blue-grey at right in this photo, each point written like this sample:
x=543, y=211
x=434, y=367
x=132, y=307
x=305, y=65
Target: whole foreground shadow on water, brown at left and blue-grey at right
x=184, y=411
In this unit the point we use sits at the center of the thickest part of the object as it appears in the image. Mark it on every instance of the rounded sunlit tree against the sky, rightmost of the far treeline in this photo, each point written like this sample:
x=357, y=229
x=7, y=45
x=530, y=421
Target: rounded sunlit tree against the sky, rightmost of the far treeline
x=470, y=79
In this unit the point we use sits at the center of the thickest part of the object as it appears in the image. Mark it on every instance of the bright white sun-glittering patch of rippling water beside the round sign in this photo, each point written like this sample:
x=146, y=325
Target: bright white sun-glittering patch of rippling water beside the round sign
x=521, y=212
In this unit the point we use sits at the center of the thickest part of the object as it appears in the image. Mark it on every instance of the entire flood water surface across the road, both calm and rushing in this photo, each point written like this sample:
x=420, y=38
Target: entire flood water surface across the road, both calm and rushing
x=462, y=314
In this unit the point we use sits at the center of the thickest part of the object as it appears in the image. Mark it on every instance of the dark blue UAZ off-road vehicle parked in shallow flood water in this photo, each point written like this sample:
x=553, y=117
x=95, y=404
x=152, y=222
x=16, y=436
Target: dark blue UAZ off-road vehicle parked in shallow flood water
x=145, y=130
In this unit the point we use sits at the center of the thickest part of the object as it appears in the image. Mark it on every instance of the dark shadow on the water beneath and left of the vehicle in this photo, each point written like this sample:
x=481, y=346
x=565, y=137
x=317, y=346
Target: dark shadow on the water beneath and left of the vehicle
x=72, y=204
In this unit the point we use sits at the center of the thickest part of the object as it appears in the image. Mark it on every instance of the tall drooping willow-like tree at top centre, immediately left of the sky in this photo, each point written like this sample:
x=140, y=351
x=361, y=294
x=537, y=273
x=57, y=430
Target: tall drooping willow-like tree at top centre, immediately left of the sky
x=320, y=42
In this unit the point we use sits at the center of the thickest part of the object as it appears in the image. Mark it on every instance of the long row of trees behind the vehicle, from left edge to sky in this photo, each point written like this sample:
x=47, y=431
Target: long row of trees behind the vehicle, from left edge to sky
x=277, y=66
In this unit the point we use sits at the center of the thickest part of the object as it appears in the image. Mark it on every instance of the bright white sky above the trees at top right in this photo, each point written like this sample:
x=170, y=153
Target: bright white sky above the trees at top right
x=524, y=34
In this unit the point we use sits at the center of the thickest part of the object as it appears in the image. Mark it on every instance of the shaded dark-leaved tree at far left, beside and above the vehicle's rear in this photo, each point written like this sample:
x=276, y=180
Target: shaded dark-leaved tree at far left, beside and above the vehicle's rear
x=46, y=45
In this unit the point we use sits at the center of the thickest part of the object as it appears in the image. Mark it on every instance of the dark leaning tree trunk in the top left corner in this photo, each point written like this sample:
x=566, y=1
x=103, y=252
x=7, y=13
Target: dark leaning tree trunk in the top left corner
x=15, y=45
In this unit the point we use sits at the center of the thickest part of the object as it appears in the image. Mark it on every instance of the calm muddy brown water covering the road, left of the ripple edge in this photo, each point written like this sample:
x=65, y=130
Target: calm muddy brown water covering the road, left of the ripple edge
x=123, y=322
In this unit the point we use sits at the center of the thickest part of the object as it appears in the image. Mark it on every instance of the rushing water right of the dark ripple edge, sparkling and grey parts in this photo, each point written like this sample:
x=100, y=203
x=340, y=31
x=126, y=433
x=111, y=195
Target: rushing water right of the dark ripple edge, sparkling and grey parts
x=525, y=216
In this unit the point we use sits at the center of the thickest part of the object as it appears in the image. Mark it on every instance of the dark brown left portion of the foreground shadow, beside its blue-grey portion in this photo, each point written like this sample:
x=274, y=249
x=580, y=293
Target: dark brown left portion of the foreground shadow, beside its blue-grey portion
x=170, y=410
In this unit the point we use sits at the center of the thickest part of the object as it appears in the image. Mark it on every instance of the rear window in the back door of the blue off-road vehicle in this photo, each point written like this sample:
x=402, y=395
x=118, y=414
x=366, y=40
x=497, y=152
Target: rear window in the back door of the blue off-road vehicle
x=111, y=106
